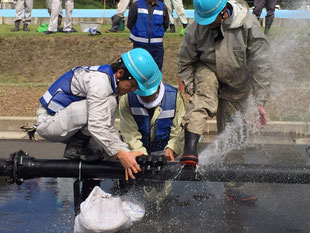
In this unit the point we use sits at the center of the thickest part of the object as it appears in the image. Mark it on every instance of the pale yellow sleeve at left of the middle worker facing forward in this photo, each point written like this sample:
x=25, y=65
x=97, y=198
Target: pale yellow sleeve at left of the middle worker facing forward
x=128, y=127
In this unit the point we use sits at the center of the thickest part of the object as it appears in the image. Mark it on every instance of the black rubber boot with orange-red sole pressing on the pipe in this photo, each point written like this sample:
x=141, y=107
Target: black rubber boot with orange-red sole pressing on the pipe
x=190, y=155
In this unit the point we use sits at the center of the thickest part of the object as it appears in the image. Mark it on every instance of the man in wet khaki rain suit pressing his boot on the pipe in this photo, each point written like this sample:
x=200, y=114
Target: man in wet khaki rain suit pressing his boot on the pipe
x=223, y=60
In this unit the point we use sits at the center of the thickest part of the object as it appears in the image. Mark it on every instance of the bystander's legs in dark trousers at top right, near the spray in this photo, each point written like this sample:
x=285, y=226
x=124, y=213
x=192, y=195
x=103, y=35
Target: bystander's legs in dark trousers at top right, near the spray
x=270, y=8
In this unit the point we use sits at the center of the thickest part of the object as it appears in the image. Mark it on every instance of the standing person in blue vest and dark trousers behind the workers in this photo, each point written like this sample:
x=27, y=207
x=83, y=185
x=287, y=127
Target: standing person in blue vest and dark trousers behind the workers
x=147, y=21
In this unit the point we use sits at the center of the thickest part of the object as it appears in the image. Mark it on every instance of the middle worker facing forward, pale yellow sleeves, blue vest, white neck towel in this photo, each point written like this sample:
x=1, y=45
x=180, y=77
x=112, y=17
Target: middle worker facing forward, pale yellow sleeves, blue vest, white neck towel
x=150, y=121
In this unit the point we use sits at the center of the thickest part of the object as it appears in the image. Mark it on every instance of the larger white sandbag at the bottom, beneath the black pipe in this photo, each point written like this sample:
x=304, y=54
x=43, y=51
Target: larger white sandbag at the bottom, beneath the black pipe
x=101, y=212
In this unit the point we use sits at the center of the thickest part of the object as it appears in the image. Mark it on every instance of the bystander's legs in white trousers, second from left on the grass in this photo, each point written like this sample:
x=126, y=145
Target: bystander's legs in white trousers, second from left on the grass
x=56, y=6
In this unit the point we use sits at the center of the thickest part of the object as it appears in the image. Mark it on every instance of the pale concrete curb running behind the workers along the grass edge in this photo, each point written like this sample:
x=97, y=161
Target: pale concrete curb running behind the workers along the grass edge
x=10, y=128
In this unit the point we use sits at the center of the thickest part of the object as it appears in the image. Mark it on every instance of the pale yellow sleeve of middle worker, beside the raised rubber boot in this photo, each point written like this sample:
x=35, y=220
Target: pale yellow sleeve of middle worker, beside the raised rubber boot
x=176, y=139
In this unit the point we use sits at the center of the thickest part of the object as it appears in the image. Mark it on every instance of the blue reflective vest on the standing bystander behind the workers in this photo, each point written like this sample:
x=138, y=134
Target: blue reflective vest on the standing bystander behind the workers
x=145, y=31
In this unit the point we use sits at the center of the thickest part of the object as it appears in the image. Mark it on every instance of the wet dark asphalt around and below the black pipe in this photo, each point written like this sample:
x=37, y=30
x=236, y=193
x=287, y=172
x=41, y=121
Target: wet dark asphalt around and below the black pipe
x=46, y=204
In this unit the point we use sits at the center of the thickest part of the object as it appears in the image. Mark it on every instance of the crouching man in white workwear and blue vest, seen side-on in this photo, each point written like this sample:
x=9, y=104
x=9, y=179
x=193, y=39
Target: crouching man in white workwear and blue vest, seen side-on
x=81, y=105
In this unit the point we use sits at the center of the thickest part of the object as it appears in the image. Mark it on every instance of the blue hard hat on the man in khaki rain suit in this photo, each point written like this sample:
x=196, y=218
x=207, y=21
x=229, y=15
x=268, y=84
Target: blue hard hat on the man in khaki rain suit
x=206, y=11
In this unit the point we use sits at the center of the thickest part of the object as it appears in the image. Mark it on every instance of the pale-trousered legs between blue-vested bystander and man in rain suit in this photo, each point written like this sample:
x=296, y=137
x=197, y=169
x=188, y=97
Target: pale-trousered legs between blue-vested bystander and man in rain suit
x=177, y=5
